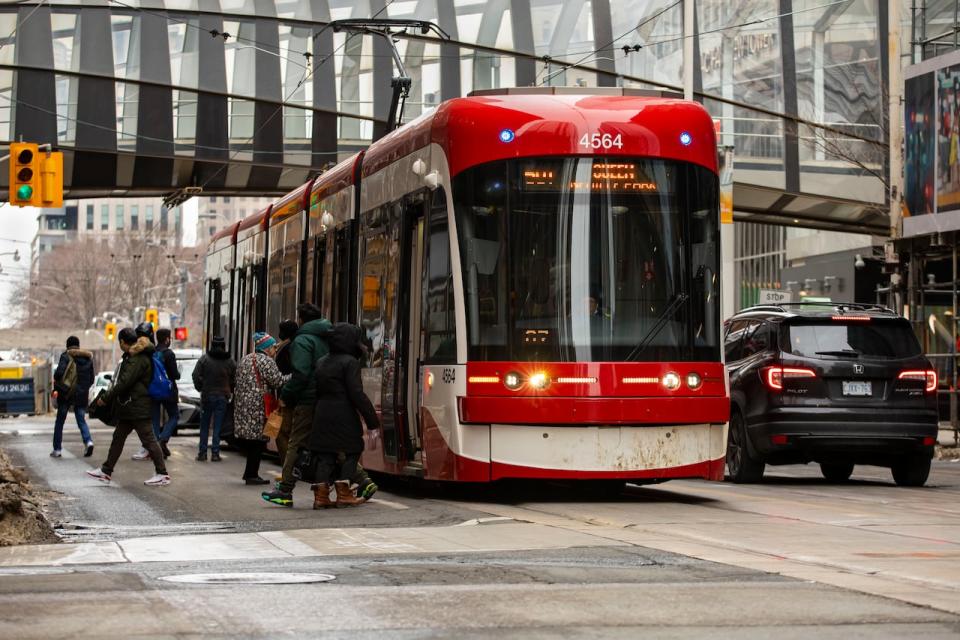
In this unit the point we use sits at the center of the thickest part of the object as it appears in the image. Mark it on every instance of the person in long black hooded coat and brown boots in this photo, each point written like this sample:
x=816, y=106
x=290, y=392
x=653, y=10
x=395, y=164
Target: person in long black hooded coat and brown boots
x=336, y=440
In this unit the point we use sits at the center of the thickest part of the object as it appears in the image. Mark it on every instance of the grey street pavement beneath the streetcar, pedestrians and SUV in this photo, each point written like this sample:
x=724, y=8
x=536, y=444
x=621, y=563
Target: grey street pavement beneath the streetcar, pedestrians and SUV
x=792, y=557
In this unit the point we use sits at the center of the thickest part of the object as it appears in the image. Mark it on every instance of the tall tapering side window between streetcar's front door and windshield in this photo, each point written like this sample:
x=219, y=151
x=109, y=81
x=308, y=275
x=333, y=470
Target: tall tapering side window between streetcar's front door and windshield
x=440, y=335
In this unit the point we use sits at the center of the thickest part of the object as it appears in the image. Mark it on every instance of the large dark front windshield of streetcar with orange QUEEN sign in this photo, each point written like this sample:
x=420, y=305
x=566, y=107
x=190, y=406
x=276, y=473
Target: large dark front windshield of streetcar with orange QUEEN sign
x=589, y=259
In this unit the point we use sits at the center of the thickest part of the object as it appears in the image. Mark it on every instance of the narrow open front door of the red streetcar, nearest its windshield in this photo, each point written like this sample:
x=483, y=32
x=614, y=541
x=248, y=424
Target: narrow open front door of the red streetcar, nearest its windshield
x=414, y=333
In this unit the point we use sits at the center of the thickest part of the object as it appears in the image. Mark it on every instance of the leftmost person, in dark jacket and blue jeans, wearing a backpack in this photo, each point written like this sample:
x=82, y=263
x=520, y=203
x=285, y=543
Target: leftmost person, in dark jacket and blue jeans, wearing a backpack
x=71, y=383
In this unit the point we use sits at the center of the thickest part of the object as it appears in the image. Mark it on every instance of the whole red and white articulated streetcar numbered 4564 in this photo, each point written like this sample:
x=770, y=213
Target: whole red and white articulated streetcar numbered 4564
x=537, y=274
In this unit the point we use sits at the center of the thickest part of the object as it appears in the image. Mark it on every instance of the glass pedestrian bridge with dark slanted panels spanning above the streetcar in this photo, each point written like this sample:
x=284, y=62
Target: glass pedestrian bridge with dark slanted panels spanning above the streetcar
x=255, y=95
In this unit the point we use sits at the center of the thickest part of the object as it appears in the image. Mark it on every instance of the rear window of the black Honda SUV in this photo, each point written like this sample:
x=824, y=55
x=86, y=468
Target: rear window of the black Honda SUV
x=854, y=339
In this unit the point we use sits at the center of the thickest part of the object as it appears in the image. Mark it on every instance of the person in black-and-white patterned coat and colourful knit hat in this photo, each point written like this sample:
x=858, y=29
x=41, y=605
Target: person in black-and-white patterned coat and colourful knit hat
x=257, y=379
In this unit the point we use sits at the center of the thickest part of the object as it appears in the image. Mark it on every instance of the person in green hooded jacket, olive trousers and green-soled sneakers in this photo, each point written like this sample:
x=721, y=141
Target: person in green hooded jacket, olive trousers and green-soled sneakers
x=299, y=393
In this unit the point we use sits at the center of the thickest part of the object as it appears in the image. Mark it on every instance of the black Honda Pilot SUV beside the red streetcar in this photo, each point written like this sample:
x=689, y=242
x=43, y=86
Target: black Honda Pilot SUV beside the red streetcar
x=838, y=384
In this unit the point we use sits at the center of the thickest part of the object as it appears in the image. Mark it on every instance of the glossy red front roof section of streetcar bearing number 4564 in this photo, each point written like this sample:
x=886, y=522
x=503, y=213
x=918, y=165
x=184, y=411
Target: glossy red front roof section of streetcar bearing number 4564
x=484, y=128
